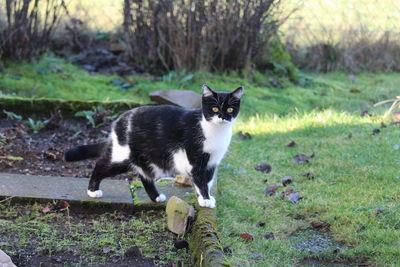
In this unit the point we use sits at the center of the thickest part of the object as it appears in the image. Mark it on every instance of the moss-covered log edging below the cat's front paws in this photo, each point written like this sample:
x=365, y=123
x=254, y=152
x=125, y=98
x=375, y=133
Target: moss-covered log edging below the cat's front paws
x=204, y=244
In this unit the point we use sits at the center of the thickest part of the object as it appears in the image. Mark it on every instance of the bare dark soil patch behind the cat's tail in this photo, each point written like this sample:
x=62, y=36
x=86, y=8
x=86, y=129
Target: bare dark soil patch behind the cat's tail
x=25, y=152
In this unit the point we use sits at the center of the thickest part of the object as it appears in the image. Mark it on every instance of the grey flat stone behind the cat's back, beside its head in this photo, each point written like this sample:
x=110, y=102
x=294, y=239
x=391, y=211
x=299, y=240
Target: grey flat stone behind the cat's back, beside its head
x=181, y=98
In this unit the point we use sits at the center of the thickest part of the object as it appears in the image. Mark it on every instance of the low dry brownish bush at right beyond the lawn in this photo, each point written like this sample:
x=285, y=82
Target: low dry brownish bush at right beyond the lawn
x=355, y=50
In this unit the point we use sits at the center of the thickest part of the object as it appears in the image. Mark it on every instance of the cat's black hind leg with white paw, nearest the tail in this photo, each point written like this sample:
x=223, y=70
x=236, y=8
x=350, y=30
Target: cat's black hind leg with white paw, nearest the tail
x=102, y=170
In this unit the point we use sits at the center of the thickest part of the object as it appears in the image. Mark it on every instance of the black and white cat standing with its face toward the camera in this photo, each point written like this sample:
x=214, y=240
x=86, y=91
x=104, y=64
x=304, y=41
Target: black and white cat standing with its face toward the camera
x=157, y=141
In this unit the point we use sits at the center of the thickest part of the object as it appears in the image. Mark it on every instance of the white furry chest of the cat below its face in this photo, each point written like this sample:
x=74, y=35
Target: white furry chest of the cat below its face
x=217, y=140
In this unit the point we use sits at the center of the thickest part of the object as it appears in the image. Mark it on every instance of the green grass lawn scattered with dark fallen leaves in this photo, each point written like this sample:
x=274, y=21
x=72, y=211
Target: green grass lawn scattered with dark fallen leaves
x=355, y=189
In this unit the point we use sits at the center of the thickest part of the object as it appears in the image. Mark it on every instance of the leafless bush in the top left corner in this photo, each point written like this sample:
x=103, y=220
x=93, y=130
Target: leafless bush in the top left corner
x=27, y=27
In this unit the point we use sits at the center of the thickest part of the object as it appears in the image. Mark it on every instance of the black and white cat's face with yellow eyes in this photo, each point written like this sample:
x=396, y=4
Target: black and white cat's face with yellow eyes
x=221, y=107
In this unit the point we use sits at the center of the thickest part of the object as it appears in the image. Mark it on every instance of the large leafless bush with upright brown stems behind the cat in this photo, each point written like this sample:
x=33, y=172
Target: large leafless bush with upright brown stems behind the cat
x=195, y=34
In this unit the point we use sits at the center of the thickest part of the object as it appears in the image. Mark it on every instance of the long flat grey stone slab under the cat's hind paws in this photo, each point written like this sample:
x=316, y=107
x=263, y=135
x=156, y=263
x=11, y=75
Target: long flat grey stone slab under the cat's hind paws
x=74, y=189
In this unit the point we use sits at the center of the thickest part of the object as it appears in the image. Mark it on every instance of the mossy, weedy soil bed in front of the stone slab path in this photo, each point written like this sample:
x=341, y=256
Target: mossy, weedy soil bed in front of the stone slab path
x=31, y=231
